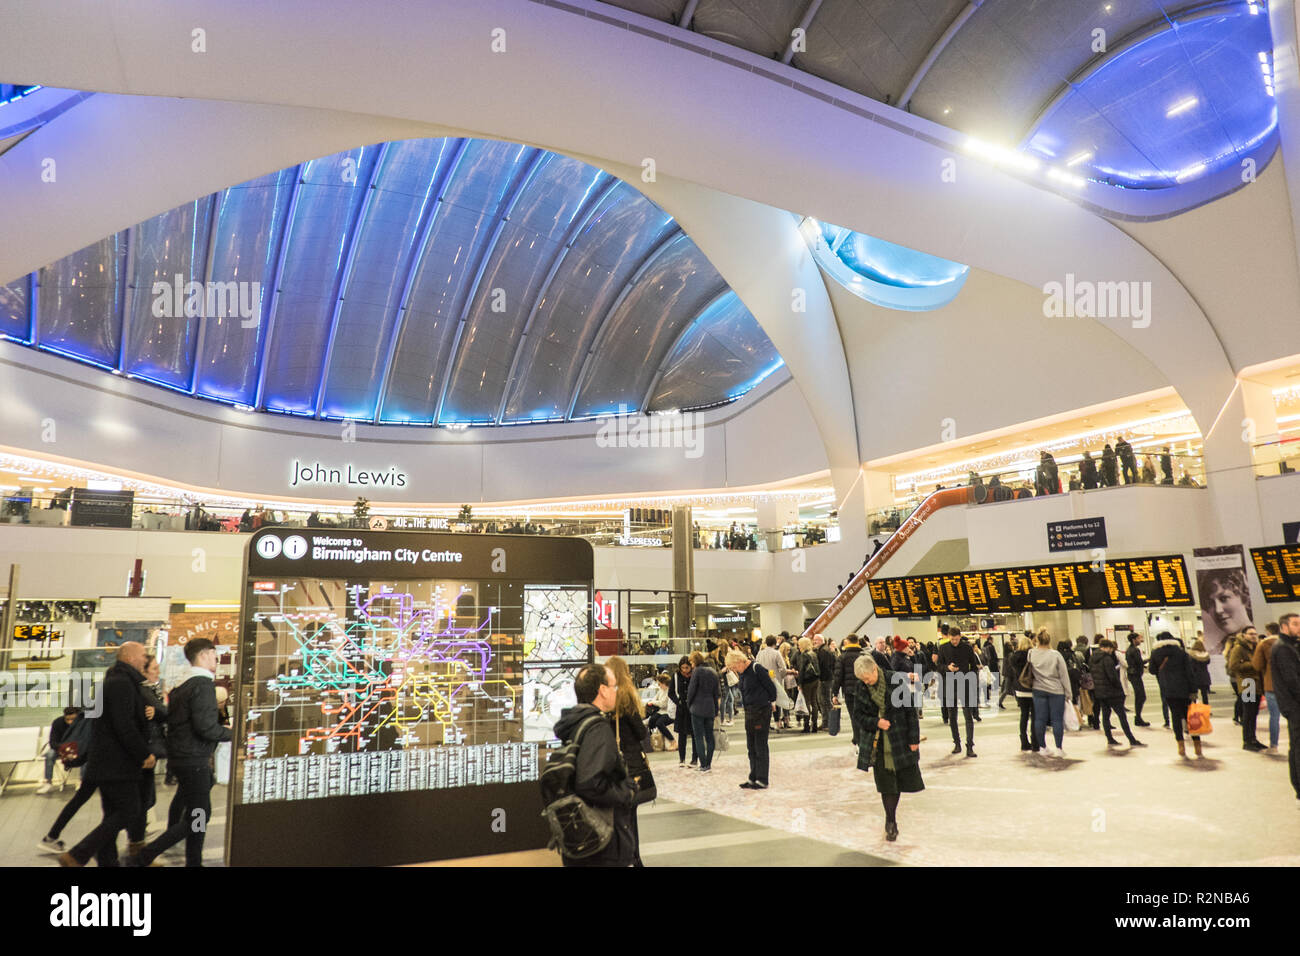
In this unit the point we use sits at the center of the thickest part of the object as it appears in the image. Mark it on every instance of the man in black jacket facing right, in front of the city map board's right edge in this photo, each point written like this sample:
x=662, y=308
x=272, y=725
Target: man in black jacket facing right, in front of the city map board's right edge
x=600, y=777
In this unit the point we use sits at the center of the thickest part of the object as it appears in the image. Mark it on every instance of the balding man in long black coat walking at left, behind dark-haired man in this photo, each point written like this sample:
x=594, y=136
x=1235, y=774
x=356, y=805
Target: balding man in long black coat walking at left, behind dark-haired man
x=119, y=751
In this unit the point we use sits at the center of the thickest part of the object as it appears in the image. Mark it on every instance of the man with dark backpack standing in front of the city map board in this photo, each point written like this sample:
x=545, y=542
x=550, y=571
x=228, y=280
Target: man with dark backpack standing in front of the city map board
x=600, y=780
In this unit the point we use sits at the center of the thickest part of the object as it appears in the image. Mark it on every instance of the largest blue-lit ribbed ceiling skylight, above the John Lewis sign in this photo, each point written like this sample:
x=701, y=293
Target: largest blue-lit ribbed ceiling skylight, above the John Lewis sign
x=435, y=282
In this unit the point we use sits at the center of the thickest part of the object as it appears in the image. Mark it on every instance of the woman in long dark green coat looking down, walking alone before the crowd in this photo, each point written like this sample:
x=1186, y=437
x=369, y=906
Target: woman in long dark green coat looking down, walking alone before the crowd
x=890, y=734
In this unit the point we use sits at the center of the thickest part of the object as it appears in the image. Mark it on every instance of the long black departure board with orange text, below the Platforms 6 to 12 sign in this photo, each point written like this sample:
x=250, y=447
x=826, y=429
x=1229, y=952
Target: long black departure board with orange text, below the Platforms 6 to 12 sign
x=1160, y=582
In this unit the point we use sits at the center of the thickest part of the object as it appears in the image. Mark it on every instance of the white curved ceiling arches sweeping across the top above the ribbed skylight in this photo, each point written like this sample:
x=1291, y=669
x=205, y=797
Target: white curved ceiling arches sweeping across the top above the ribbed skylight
x=869, y=172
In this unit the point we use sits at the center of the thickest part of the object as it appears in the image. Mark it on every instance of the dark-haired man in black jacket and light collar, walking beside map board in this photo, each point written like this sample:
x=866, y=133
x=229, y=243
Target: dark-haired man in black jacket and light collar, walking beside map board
x=194, y=732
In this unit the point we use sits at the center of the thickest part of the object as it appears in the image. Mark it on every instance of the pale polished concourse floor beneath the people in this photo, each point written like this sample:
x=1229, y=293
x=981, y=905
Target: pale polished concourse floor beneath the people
x=1095, y=807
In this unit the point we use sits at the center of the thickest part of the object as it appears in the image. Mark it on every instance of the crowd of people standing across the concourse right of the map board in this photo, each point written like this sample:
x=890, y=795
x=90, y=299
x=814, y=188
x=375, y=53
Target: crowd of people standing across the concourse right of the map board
x=885, y=686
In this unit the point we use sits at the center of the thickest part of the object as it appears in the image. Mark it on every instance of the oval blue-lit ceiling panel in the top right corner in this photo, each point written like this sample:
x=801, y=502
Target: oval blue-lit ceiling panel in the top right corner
x=1178, y=105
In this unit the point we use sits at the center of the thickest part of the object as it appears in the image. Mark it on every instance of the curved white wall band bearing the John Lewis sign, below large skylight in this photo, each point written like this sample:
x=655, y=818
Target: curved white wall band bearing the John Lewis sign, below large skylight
x=105, y=421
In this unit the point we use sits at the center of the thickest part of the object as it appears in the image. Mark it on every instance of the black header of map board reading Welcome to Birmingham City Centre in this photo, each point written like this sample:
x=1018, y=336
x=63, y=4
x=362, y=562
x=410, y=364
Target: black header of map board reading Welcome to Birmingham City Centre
x=414, y=555
